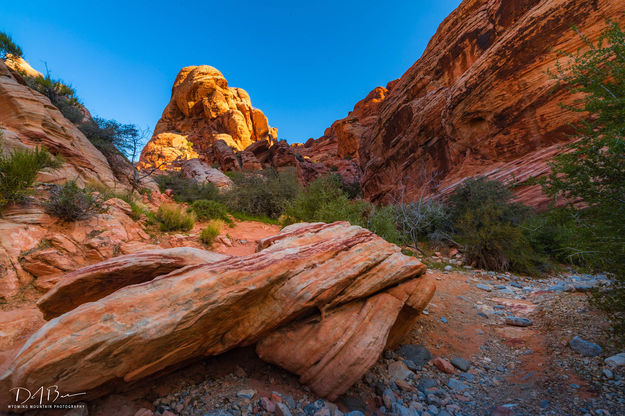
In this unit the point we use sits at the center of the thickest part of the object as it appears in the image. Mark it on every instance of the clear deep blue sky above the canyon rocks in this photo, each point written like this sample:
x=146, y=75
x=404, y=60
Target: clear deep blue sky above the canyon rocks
x=303, y=65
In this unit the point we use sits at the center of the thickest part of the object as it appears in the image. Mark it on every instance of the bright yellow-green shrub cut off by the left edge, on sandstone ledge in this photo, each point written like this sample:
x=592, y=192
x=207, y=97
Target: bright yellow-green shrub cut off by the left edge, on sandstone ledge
x=18, y=171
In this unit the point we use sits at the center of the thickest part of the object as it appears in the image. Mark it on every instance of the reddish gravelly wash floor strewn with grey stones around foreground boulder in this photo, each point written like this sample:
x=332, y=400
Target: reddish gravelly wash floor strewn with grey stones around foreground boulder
x=488, y=344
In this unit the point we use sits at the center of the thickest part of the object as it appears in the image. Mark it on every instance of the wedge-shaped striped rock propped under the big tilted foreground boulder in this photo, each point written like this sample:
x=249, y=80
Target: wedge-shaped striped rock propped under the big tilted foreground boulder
x=330, y=353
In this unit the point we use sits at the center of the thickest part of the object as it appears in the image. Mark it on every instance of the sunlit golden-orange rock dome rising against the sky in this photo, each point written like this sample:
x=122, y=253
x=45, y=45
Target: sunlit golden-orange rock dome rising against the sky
x=203, y=110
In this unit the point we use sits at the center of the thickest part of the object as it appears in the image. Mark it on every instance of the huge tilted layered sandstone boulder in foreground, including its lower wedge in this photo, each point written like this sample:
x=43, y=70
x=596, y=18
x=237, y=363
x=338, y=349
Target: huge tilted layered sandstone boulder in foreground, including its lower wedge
x=363, y=286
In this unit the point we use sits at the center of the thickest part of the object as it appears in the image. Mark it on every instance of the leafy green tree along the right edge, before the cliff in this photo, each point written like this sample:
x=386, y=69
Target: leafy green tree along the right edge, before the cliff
x=593, y=168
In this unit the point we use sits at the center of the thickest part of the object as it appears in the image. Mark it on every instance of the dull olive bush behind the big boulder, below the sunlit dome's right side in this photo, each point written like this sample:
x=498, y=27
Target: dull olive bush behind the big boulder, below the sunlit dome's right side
x=267, y=192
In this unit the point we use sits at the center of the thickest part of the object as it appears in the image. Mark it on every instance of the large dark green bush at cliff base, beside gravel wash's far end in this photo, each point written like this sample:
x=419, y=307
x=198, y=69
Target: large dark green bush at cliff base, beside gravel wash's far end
x=487, y=224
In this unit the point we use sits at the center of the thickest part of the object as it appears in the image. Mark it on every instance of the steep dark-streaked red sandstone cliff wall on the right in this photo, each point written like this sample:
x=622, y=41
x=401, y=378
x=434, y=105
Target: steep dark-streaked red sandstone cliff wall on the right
x=479, y=100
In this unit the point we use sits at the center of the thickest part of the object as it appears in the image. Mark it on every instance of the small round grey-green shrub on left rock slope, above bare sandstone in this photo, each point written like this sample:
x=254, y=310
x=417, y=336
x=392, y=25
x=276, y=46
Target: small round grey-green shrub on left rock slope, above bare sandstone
x=70, y=202
